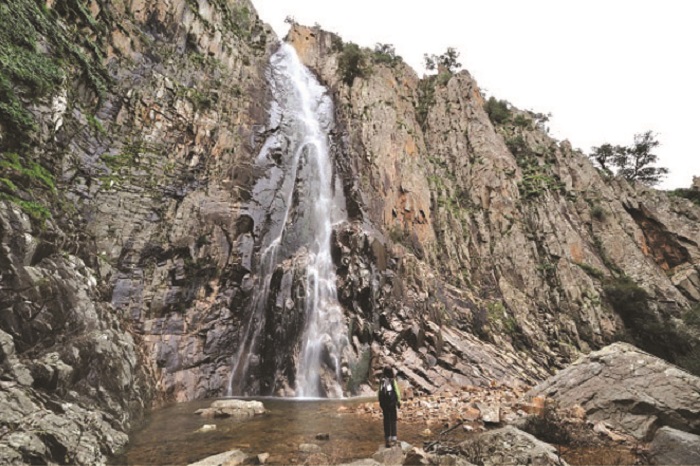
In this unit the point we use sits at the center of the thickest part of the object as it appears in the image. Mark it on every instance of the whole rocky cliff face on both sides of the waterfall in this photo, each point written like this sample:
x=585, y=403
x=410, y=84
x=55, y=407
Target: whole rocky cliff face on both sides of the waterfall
x=472, y=251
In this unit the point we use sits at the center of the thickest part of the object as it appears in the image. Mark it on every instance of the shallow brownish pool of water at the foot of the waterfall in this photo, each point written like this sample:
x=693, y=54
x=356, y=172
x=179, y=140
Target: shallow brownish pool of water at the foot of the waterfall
x=170, y=434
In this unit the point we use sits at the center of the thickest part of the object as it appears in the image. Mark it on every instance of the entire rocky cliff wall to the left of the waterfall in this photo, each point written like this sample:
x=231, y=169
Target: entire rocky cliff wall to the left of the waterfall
x=118, y=217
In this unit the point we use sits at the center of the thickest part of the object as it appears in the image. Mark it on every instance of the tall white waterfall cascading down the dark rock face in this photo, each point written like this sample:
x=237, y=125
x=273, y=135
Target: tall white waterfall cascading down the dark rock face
x=294, y=205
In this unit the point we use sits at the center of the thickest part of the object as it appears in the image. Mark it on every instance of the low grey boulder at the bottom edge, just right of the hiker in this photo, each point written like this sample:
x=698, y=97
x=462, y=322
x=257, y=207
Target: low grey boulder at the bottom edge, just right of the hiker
x=509, y=445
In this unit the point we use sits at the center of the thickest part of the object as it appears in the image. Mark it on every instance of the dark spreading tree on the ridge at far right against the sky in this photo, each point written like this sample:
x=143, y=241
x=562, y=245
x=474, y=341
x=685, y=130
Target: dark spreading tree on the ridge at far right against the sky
x=632, y=162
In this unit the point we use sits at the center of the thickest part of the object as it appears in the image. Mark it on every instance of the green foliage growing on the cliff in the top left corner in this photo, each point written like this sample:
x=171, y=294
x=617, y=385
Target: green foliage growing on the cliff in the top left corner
x=35, y=50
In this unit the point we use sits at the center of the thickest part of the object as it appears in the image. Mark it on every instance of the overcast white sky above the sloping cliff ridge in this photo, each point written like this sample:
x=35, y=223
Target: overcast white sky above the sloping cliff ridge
x=605, y=69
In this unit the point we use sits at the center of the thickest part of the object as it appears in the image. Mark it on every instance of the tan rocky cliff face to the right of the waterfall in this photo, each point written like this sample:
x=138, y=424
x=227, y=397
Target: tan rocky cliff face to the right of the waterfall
x=518, y=238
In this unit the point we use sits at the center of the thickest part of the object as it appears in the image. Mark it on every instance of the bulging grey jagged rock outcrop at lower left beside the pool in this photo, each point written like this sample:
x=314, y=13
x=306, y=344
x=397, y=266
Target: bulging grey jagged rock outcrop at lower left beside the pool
x=70, y=377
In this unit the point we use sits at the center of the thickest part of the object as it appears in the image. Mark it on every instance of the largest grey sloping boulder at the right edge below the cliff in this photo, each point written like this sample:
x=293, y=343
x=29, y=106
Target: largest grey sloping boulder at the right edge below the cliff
x=629, y=389
